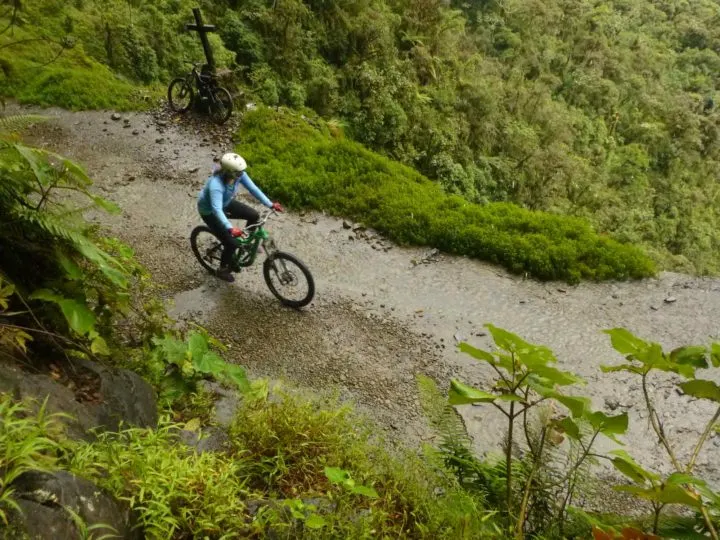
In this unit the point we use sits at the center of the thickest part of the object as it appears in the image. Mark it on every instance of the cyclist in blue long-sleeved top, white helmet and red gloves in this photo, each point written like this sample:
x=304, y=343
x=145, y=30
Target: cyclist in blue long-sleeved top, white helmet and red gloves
x=216, y=203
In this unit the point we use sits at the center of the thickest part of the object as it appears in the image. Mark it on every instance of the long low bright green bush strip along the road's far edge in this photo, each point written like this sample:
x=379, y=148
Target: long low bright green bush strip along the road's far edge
x=306, y=167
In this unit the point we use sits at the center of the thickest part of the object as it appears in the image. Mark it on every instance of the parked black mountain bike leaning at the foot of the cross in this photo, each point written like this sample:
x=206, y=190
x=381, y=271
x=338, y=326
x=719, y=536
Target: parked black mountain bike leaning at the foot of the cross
x=181, y=94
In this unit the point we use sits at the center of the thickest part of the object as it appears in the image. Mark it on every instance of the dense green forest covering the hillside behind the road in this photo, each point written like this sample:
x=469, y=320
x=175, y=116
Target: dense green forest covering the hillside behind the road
x=603, y=109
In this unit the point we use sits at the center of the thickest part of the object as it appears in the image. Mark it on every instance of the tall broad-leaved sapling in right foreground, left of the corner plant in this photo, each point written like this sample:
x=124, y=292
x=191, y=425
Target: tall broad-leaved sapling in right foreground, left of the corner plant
x=528, y=383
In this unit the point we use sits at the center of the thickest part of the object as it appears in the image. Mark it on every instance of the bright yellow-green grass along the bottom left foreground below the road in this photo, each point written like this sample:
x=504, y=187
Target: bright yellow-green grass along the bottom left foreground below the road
x=279, y=449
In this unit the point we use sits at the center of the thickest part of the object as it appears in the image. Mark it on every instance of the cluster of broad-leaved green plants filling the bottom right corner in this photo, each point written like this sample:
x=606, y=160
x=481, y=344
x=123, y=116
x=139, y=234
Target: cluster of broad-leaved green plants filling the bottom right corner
x=535, y=489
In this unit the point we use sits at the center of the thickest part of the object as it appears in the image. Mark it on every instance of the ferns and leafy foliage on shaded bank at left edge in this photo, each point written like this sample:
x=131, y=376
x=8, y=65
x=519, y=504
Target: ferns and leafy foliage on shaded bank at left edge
x=74, y=281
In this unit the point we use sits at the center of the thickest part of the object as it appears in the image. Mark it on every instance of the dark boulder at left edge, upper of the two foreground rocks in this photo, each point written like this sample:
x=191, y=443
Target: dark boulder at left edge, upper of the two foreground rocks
x=122, y=396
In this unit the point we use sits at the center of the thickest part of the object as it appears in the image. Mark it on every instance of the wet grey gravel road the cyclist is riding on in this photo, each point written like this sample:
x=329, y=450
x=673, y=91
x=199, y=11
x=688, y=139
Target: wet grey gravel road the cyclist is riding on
x=382, y=313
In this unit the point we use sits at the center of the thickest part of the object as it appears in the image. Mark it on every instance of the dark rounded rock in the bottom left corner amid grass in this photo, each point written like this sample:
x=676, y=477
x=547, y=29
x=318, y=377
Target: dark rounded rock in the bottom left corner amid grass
x=47, y=499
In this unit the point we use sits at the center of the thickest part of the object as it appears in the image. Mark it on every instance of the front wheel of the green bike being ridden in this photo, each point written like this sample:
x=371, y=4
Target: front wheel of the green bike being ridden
x=289, y=279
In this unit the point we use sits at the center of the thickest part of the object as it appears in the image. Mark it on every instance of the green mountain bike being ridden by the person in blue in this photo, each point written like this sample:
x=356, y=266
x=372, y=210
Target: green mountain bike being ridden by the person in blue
x=281, y=270
